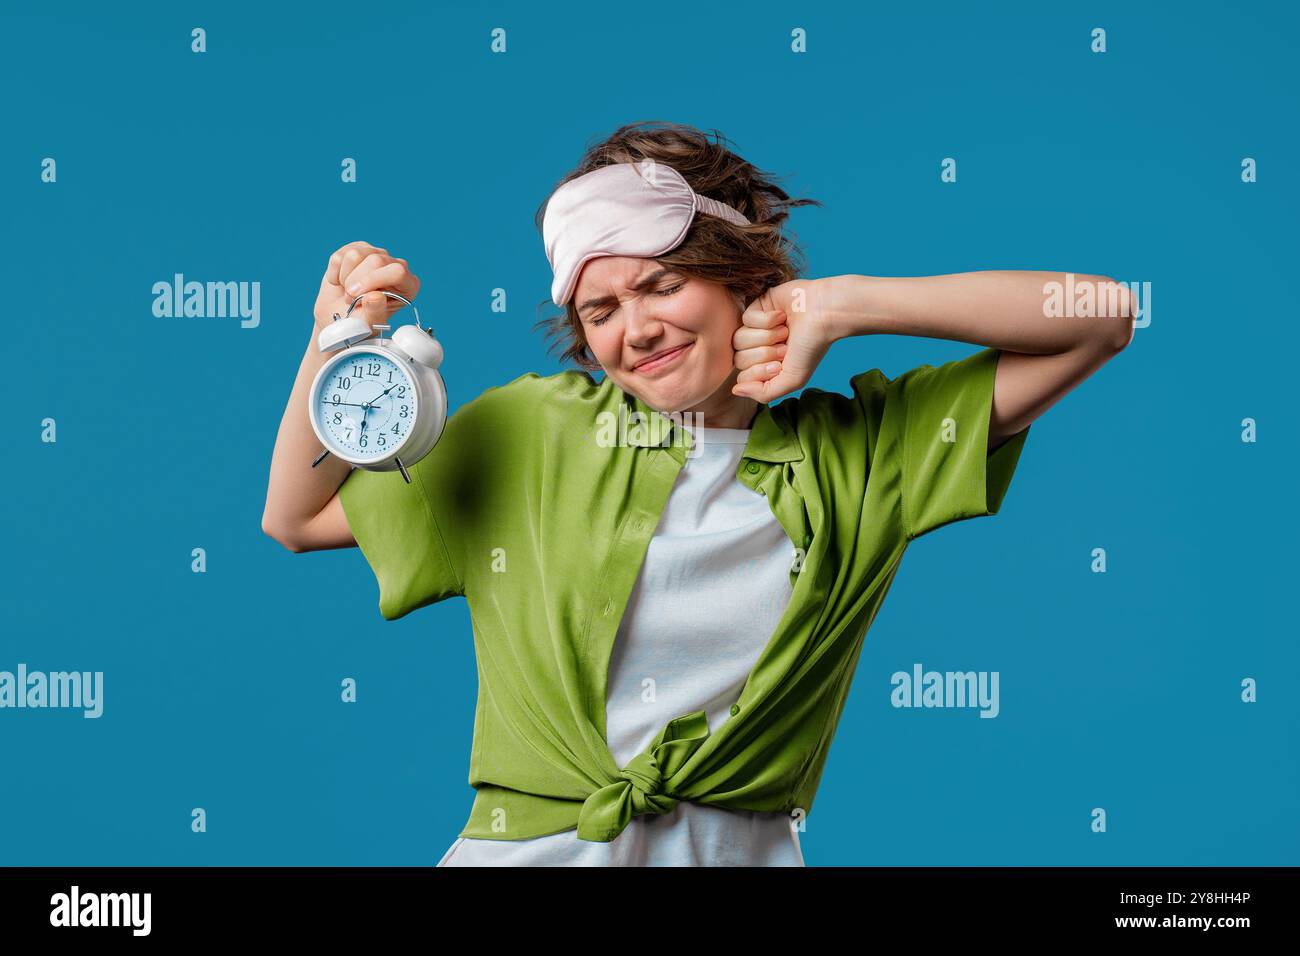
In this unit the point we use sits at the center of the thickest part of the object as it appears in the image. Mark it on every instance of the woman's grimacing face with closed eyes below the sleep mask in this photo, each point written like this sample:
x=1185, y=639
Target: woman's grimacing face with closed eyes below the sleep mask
x=665, y=338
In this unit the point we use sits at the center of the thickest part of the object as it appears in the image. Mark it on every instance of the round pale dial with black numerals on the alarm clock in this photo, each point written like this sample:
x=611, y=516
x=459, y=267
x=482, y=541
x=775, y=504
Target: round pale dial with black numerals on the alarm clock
x=366, y=404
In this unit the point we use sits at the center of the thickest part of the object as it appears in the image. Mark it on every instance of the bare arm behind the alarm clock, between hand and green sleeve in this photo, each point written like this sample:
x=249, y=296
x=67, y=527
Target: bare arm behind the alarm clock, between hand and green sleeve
x=297, y=492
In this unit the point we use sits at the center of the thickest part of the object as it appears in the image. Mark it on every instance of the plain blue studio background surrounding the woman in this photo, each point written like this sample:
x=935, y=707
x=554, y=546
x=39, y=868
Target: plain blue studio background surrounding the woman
x=223, y=689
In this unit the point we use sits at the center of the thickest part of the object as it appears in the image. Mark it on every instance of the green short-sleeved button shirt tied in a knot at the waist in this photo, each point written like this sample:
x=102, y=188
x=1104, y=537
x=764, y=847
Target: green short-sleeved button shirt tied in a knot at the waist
x=534, y=512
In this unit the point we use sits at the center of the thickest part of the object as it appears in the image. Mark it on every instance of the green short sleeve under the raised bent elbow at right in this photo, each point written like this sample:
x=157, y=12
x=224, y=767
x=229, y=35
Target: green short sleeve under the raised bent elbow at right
x=947, y=471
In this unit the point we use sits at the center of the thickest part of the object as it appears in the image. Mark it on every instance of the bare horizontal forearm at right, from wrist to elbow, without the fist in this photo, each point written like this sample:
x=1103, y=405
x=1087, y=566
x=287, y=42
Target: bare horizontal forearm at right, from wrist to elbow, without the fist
x=1003, y=310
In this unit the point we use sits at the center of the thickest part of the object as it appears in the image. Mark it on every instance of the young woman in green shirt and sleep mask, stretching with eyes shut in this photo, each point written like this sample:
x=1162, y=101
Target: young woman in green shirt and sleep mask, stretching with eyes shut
x=669, y=577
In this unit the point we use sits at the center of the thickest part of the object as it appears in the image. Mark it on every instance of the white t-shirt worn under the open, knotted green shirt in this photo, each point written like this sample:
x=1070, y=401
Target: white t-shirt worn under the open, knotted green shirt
x=712, y=591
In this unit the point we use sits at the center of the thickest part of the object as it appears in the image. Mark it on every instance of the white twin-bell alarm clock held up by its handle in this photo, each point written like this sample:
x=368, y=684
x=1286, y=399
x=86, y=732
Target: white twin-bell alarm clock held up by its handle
x=380, y=404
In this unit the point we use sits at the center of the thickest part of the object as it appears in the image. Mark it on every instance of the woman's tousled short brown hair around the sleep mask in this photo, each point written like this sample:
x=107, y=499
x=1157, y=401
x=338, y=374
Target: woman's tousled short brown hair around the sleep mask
x=746, y=259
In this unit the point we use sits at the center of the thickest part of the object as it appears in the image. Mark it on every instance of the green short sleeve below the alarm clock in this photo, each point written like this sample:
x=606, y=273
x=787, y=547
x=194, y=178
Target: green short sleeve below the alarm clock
x=406, y=531
